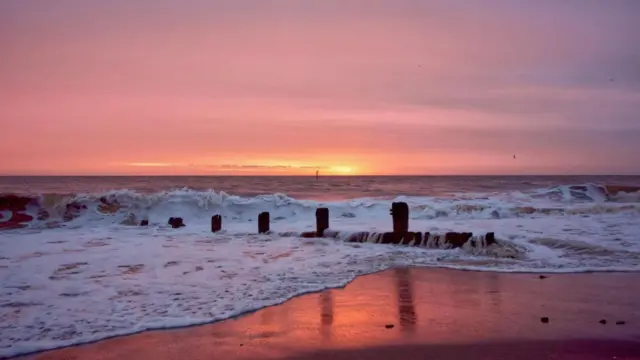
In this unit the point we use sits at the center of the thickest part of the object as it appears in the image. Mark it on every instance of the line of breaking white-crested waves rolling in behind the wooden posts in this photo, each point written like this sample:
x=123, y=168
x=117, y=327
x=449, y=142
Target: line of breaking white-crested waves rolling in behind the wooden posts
x=129, y=207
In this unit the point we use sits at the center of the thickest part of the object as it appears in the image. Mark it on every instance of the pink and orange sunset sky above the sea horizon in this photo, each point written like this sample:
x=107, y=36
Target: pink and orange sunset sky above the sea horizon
x=346, y=87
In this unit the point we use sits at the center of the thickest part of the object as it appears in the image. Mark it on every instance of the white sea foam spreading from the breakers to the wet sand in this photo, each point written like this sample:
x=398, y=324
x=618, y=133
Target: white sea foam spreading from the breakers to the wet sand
x=93, y=278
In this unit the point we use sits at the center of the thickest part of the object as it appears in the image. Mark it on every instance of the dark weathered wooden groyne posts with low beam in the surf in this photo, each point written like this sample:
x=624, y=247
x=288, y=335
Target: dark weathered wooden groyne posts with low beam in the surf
x=400, y=235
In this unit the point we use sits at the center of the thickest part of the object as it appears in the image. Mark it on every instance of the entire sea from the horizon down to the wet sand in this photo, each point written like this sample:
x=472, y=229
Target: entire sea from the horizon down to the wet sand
x=74, y=270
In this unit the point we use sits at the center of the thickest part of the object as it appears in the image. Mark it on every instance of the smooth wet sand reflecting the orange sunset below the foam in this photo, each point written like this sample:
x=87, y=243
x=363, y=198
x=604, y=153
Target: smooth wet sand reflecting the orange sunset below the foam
x=414, y=314
